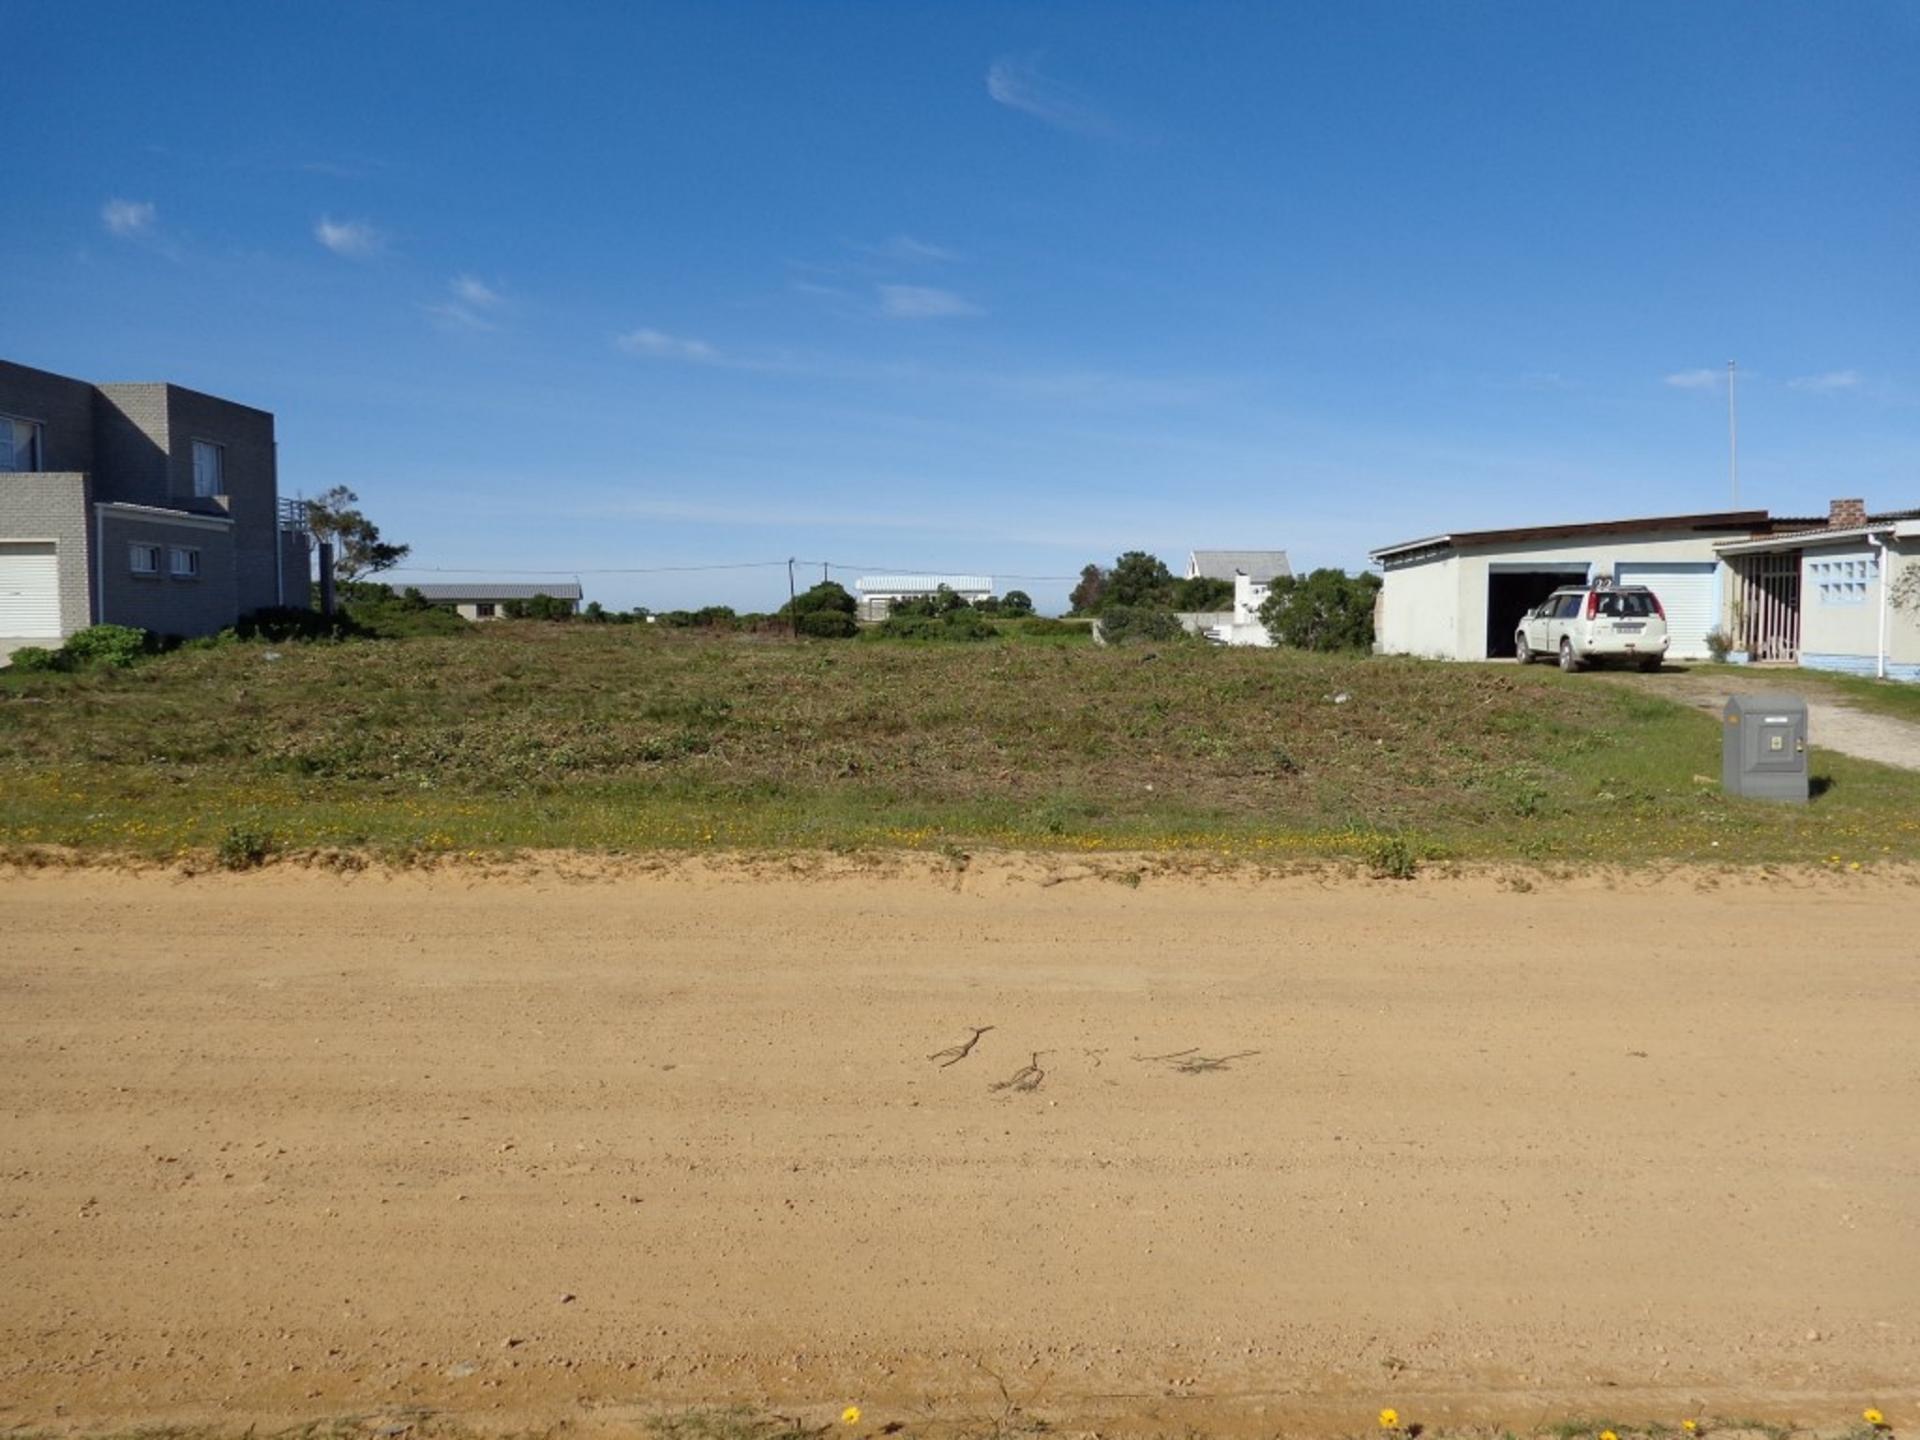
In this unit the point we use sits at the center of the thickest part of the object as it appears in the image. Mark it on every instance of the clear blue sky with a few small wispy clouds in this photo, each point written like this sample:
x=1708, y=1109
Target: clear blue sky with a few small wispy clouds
x=984, y=287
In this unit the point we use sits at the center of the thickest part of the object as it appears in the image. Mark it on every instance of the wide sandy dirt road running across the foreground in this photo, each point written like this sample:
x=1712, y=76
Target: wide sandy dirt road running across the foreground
x=297, y=1145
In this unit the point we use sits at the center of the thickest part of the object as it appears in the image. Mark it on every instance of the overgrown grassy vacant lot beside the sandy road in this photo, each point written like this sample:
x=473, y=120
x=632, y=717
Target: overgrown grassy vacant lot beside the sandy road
x=631, y=738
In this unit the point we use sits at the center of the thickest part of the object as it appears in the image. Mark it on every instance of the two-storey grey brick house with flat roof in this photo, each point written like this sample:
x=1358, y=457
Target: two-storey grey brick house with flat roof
x=137, y=504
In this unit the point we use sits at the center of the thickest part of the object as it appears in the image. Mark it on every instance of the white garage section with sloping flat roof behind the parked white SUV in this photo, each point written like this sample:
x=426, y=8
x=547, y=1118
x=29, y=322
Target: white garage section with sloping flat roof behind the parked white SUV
x=1460, y=596
